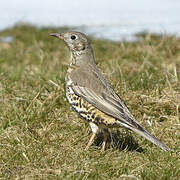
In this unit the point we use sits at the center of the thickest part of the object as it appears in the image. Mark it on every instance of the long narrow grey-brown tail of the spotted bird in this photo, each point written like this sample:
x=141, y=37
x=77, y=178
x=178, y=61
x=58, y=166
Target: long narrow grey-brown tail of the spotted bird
x=142, y=132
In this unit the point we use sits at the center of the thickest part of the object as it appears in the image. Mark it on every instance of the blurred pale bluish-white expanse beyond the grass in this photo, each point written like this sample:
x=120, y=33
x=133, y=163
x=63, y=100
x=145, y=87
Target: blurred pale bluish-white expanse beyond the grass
x=109, y=19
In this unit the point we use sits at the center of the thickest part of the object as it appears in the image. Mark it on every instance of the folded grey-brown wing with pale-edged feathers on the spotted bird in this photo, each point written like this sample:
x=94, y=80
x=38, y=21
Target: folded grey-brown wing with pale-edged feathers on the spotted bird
x=108, y=105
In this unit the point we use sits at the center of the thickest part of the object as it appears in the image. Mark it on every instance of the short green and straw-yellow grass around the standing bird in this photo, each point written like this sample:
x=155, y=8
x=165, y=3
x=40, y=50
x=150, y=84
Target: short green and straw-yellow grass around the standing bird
x=41, y=138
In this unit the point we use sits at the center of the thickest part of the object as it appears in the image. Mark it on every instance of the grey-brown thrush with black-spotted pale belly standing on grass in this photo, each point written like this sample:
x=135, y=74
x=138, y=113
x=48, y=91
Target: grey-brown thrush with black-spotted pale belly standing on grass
x=92, y=96
